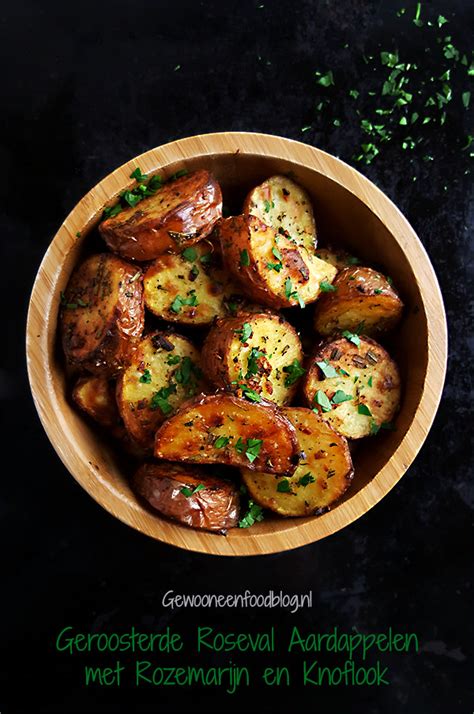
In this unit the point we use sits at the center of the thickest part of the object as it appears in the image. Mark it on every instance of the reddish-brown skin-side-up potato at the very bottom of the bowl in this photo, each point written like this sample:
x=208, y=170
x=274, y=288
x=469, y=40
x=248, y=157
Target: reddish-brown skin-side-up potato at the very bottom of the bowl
x=188, y=495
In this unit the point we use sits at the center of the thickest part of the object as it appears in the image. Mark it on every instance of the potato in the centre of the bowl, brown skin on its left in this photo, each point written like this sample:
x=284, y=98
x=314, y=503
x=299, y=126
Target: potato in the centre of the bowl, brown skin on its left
x=260, y=352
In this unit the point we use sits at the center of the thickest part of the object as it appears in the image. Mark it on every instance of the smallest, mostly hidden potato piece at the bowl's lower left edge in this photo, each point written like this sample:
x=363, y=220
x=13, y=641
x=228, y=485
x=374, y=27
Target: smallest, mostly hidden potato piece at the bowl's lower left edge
x=96, y=397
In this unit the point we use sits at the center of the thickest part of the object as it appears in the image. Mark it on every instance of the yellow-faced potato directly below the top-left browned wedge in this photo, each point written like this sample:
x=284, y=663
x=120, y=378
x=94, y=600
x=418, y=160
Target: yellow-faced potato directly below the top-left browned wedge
x=190, y=288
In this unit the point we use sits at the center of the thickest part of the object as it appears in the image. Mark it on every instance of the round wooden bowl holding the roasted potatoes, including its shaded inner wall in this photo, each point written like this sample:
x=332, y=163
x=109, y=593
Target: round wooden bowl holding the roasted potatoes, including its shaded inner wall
x=351, y=212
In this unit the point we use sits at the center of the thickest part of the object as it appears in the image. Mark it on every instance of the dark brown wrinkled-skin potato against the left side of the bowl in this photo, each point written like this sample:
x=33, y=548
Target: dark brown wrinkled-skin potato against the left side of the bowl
x=102, y=314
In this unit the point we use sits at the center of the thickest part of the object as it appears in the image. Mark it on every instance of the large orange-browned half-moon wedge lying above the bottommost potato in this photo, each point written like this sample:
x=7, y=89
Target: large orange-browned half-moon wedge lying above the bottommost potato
x=222, y=429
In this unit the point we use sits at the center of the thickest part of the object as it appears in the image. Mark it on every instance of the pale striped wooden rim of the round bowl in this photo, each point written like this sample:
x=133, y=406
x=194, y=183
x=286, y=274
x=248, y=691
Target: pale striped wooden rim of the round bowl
x=39, y=343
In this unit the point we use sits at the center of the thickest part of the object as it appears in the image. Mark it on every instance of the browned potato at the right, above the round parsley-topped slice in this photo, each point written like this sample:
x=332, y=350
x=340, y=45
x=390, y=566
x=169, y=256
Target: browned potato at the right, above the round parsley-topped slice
x=362, y=300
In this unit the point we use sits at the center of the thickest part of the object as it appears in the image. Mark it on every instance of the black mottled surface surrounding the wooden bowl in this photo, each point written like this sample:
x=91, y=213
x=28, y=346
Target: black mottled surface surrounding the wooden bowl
x=87, y=86
